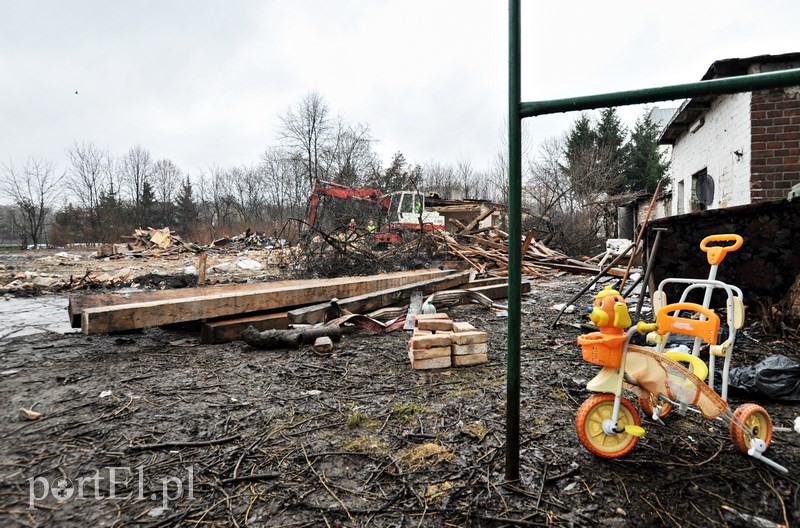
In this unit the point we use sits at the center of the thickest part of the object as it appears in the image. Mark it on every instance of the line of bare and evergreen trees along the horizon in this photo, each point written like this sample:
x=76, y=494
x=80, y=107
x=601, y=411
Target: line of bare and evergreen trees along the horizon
x=100, y=197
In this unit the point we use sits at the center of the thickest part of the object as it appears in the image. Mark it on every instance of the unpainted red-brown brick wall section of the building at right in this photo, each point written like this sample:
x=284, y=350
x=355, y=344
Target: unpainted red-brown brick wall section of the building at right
x=775, y=146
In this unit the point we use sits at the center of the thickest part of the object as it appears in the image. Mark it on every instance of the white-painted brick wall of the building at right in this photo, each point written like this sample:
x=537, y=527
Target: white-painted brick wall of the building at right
x=726, y=129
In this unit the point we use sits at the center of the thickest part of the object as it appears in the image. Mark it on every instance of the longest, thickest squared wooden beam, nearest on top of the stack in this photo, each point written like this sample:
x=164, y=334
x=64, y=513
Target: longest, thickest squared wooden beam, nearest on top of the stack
x=207, y=303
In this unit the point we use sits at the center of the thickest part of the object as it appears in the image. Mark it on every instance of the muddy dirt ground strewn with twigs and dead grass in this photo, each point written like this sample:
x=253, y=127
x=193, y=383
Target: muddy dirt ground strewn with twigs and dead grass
x=151, y=429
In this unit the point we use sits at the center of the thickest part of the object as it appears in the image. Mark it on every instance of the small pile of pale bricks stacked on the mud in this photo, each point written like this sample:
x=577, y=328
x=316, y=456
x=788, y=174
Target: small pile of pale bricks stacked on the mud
x=438, y=342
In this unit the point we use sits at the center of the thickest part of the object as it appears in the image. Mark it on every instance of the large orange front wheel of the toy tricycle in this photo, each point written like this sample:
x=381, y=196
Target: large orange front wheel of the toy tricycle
x=589, y=424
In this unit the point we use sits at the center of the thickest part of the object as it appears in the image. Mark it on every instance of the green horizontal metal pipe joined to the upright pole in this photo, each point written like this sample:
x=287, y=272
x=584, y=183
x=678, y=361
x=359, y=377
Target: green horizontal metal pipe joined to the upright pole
x=742, y=83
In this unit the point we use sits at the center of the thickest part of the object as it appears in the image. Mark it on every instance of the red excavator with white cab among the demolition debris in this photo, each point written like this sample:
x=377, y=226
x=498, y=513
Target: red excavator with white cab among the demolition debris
x=405, y=209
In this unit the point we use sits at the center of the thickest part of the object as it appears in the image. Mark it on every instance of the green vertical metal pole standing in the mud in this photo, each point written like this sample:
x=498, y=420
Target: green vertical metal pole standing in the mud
x=514, y=242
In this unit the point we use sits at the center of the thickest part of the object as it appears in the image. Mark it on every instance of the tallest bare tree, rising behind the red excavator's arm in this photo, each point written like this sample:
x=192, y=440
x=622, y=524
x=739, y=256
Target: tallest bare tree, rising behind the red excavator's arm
x=306, y=129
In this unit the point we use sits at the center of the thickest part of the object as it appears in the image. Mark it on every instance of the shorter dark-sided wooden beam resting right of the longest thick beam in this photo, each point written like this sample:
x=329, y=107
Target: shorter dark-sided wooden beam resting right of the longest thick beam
x=319, y=313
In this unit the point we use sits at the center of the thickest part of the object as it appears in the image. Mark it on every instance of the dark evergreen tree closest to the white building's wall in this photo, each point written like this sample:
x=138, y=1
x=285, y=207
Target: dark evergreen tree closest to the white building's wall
x=645, y=165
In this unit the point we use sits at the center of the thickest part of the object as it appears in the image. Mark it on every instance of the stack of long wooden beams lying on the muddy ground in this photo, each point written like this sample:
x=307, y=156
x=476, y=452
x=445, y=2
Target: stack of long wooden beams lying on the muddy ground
x=223, y=312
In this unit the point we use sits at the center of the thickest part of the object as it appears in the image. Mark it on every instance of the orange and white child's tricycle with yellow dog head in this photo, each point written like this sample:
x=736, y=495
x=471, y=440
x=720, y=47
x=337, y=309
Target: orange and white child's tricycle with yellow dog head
x=608, y=425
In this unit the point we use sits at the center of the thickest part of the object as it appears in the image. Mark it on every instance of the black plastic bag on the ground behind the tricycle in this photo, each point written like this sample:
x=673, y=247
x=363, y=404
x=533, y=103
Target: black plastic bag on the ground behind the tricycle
x=776, y=377
